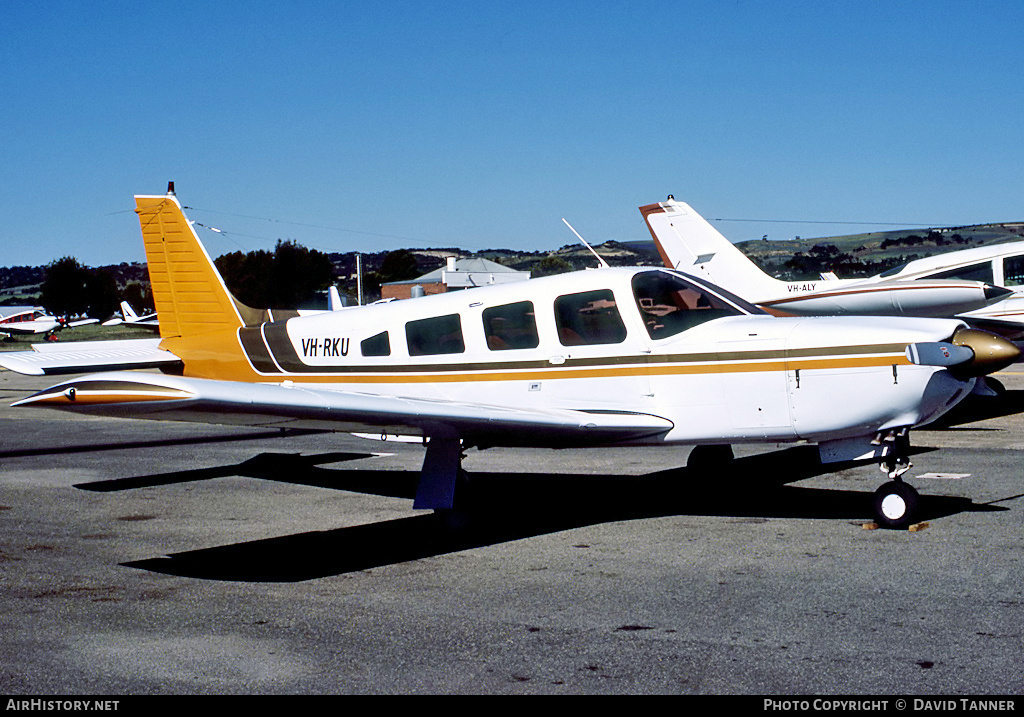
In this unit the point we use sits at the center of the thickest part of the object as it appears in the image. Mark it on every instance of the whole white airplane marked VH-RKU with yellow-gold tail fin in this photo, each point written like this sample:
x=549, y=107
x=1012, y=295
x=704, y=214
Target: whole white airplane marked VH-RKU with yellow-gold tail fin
x=625, y=357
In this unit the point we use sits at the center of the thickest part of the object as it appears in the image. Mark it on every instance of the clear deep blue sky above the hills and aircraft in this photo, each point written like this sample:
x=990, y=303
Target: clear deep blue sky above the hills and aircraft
x=378, y=125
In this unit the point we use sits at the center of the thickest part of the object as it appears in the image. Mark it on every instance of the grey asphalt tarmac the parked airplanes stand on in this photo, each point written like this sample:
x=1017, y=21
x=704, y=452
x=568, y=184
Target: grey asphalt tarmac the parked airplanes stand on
x=161, y=559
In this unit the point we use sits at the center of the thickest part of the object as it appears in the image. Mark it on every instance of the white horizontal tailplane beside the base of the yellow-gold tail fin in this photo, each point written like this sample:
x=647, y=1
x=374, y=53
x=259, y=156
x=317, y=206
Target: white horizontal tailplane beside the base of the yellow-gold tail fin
x=77, y=357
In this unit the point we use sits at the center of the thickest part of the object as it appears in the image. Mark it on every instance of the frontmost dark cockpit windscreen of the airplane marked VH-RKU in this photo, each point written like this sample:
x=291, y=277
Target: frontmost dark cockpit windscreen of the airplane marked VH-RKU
x=669, y=305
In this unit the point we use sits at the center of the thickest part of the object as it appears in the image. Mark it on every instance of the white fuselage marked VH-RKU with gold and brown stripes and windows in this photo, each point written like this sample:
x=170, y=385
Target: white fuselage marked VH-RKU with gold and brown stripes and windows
x=617, y=340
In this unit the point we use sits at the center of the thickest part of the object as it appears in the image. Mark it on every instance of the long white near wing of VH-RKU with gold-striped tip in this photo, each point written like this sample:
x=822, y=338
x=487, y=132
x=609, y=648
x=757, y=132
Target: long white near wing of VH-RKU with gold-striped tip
x=294, y=406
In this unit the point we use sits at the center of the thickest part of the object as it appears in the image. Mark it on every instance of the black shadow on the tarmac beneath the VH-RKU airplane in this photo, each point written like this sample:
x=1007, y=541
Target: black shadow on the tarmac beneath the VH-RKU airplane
x=497, y=509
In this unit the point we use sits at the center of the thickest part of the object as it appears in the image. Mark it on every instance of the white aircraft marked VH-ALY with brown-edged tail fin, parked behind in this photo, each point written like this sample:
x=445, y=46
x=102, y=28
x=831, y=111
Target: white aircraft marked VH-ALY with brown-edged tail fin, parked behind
x=689, y=243
